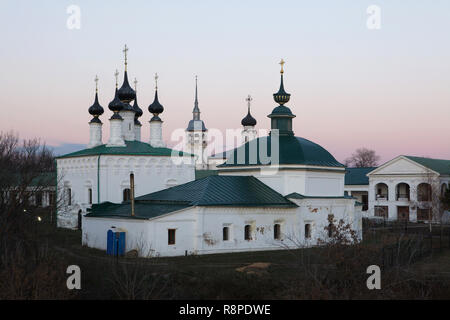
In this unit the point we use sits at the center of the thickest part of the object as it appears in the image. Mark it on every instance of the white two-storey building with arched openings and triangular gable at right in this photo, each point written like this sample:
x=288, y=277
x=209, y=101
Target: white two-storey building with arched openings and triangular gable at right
x=408, y=188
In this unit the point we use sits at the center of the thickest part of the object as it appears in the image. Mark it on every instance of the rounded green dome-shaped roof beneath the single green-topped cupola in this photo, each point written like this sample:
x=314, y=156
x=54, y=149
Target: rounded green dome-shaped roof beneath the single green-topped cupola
x=292, y=150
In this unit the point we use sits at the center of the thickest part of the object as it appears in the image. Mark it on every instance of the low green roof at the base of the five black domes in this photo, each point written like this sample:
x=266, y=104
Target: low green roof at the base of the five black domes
x=131, y=148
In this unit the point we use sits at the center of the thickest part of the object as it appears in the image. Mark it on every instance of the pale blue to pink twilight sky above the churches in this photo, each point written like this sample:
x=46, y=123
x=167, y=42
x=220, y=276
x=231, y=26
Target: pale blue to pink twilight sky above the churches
x=386, y=90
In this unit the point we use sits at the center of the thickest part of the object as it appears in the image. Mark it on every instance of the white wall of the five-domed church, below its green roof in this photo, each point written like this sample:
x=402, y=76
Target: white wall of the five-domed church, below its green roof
x=151, y=174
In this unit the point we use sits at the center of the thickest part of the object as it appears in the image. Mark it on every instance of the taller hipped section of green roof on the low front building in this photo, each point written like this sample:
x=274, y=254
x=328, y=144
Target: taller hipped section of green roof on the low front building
x=222, y=191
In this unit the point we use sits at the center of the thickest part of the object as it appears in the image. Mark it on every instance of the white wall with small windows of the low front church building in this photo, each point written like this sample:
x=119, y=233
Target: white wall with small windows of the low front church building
x=199, y=230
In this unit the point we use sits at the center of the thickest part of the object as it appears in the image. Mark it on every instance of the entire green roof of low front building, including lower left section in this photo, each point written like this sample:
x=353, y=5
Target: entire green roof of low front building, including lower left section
x=245, y=191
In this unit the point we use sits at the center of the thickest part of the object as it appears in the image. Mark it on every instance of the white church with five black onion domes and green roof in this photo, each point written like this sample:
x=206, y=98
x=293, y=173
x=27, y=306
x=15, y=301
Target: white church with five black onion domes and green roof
x=101, y=172
